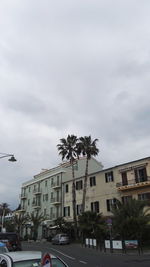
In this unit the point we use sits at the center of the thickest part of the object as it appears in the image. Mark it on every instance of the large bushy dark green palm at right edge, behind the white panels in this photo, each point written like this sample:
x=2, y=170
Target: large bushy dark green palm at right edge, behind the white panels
x=130, y=219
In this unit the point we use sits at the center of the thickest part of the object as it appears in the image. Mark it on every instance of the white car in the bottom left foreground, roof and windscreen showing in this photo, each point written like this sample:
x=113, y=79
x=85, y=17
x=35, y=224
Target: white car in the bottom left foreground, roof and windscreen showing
x=27, y=259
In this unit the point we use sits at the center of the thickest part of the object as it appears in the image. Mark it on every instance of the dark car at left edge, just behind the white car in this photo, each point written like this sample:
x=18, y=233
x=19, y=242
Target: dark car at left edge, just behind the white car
x=11, y=240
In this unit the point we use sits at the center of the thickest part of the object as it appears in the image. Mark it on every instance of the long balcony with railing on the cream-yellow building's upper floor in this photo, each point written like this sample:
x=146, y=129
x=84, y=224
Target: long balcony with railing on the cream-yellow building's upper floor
x=132, y=184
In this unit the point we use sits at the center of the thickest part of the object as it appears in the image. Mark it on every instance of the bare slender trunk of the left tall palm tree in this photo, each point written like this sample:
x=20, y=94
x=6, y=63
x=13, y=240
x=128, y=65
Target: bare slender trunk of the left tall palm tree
x=74, y=199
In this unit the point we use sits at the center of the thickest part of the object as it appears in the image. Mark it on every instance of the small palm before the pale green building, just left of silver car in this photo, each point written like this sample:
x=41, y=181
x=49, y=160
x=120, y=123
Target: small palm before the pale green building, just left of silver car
x=36, y=220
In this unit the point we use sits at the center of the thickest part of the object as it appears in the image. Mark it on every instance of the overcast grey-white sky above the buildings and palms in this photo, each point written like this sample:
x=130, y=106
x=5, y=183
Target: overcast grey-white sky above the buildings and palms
x=72, y=67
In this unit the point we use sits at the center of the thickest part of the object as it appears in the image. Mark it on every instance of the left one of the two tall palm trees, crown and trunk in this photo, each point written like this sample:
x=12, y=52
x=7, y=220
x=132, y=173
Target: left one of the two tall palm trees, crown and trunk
x=68, y=150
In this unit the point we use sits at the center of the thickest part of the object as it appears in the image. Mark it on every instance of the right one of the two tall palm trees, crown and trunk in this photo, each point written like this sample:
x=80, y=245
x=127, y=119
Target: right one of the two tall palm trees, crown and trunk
x=88, y=148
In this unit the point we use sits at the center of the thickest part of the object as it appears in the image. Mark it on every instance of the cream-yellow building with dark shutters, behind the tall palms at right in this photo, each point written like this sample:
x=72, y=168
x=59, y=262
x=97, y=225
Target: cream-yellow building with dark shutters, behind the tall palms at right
x=122, y=182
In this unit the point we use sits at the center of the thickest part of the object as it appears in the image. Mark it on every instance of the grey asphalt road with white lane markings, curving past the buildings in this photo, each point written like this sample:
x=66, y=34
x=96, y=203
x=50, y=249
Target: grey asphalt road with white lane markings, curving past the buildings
x=76, y=255
